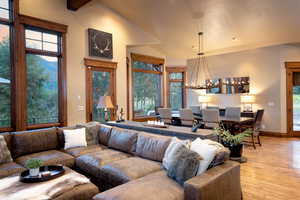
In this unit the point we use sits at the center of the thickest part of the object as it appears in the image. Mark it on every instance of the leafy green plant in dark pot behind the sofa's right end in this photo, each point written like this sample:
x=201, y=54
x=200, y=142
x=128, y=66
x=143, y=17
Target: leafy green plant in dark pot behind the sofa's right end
x=233, y=142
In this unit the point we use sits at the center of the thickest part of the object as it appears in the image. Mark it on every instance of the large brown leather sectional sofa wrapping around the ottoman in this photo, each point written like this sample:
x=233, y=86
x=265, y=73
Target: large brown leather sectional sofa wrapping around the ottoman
x=123, y=164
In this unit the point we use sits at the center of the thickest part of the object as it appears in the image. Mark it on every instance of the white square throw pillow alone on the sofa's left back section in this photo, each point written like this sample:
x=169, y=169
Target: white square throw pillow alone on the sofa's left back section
x=75, y=138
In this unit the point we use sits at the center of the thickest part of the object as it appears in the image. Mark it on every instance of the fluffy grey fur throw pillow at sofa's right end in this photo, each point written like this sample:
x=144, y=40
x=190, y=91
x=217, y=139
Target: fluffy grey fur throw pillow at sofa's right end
x=184, y=165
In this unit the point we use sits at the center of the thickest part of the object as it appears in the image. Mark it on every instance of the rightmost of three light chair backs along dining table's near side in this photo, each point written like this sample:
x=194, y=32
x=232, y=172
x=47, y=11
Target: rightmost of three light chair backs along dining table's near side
x=210, y=118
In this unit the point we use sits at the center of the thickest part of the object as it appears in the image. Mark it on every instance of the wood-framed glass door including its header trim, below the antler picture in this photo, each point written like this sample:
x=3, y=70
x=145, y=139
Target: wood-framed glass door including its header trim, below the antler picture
x=100, y=82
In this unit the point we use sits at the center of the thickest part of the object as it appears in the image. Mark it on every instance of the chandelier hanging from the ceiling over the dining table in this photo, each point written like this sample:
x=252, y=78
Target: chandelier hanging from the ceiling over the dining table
x=200, y=77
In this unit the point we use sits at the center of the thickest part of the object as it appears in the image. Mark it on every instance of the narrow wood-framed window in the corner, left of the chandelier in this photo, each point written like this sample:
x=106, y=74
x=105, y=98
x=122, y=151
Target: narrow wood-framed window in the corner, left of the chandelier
x=176, y=87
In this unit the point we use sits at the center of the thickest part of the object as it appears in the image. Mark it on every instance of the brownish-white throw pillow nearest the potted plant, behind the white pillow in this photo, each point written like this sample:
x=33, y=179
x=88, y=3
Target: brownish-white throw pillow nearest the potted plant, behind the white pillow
x=222, y=153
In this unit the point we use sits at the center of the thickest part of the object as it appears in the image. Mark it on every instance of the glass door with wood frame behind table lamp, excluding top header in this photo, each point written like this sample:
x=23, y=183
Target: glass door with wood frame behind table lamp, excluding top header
x=100, y=82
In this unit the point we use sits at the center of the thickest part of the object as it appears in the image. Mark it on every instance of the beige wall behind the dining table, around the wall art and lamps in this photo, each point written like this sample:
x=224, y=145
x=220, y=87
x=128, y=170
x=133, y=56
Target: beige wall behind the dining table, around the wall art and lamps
x=265, y=67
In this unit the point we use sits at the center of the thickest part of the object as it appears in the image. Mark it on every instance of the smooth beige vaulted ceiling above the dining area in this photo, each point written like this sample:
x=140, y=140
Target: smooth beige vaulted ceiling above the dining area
x=228, y=25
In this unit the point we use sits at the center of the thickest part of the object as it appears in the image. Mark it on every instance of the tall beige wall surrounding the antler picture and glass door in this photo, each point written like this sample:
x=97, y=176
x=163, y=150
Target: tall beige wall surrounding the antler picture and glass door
x=93, y=15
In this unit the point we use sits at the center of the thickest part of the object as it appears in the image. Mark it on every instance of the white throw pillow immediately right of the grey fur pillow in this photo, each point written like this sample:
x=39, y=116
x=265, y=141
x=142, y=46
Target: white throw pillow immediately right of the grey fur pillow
x=207, y=152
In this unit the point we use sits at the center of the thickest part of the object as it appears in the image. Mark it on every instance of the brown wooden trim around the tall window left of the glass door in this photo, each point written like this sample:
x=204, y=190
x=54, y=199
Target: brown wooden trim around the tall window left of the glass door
x=62, y=82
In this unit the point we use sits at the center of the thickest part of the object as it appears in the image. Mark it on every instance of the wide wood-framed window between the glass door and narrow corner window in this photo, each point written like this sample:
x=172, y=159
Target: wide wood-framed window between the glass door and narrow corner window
x=147, y=86
